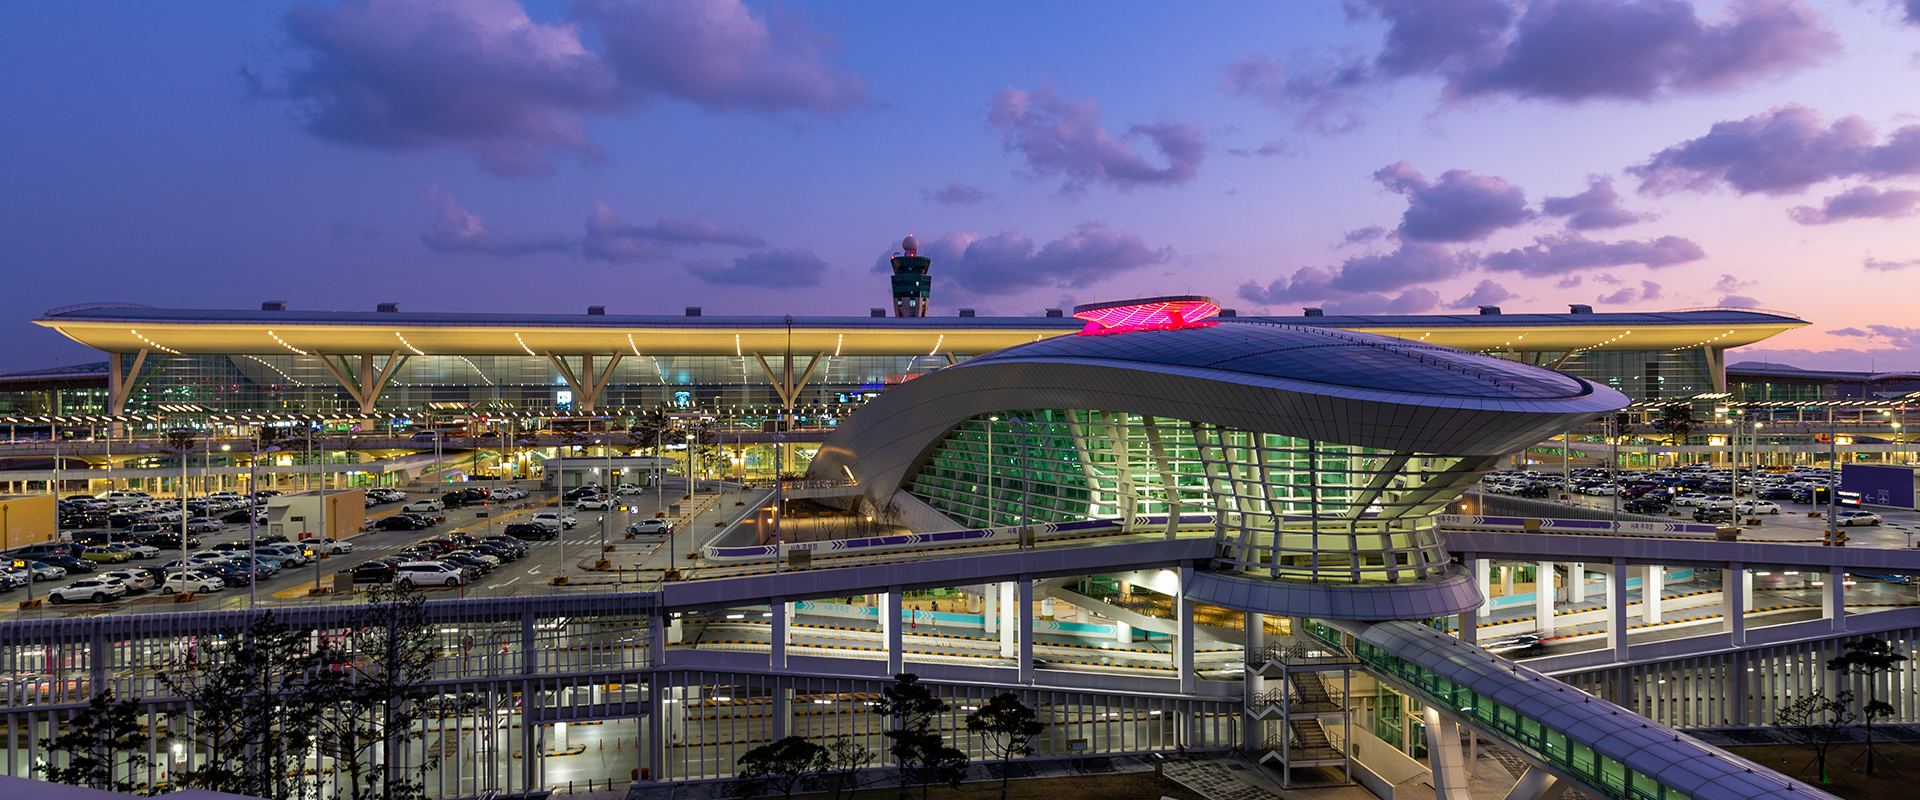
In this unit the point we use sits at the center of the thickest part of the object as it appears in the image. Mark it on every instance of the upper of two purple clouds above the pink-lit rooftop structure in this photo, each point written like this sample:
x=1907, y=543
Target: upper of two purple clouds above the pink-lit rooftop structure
x=1065, y=139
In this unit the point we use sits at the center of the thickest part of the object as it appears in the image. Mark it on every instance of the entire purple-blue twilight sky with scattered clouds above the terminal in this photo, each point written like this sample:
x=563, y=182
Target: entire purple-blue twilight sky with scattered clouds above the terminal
x=1366, y=156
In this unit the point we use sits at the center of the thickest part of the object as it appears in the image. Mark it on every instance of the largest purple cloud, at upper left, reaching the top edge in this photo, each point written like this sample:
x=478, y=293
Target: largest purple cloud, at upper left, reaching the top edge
x=483, y=78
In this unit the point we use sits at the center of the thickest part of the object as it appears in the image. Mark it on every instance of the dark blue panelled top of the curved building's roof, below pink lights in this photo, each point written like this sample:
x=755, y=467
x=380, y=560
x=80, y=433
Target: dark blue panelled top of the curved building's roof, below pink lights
x=1318, y=356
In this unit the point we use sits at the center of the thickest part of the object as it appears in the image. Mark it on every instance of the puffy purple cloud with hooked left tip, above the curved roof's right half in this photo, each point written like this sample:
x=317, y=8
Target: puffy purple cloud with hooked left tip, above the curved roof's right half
x=1458, y=208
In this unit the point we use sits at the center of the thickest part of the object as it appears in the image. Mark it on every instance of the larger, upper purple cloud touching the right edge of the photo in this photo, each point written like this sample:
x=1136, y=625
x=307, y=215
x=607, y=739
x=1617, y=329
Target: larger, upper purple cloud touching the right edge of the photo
x=1781, y=153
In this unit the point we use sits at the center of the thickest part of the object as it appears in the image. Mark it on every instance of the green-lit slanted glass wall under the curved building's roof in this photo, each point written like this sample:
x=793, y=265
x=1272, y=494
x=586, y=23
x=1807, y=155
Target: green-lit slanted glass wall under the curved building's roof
x=1284, y=507
